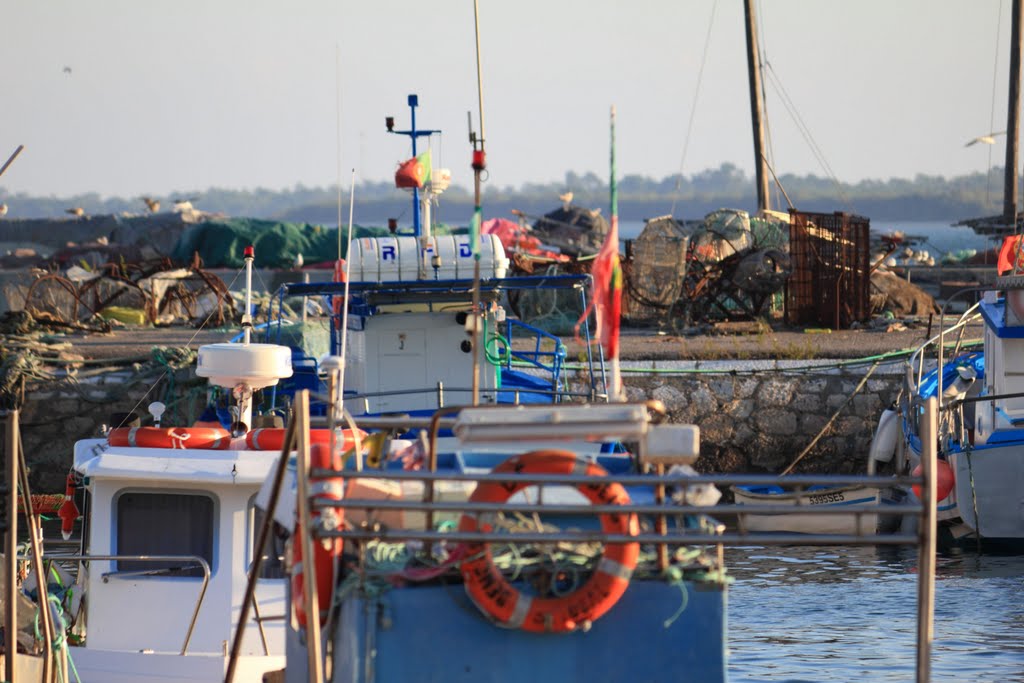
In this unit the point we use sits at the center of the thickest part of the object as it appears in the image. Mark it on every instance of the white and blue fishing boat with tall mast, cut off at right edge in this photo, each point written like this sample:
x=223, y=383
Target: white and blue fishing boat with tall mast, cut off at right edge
x=972, y=369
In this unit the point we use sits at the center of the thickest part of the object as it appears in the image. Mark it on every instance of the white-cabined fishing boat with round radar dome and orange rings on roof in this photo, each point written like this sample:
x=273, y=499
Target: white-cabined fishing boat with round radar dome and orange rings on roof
x=167, y=531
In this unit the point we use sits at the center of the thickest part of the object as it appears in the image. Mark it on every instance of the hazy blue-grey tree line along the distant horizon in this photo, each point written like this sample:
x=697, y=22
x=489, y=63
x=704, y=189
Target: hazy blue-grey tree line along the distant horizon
x=921, y=198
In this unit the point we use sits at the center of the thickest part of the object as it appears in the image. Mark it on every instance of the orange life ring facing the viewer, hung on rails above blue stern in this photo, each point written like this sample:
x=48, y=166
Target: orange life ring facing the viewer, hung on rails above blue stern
x=510, y=609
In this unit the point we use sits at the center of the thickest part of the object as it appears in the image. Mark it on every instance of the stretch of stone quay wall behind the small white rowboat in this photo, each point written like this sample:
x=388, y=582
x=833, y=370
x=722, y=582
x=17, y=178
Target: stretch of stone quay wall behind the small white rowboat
x=759, y=416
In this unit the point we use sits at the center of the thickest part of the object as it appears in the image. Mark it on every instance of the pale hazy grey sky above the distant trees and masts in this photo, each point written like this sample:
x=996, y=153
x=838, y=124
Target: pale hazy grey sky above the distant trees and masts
x=165, y=97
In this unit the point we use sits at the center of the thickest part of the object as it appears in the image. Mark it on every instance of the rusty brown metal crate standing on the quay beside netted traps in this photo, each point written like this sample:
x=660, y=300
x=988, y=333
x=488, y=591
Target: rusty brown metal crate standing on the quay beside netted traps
x=830, y=282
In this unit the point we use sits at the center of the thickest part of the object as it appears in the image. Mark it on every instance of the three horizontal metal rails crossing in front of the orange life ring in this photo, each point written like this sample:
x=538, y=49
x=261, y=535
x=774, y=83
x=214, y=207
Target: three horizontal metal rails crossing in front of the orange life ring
x=670, y=509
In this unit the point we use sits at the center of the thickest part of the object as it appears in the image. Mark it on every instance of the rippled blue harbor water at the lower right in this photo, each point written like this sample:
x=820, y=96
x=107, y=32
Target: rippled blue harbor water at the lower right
x=848, y=614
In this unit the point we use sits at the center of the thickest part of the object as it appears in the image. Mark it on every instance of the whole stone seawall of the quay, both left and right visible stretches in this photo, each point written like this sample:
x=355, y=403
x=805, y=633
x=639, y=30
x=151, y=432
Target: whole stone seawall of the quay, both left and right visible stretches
x=755, y=416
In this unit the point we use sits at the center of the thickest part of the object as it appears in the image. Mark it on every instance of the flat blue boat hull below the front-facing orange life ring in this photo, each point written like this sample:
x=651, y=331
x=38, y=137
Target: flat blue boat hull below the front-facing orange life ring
x=435, y=633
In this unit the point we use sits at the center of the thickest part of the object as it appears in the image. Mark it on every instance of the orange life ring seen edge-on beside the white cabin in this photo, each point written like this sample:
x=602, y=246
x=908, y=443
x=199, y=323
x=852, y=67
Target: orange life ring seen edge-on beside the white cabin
x=326, y=550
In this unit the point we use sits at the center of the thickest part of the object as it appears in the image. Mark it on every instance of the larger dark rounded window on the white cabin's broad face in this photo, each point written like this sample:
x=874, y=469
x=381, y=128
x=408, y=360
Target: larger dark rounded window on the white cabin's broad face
x=165, y=525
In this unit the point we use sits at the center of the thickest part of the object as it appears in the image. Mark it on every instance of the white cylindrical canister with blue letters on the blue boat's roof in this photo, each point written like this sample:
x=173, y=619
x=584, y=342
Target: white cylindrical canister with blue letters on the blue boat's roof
x=438, y=258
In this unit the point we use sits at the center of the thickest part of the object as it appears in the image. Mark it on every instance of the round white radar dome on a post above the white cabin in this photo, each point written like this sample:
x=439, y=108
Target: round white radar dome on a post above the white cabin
x=257, y=366
